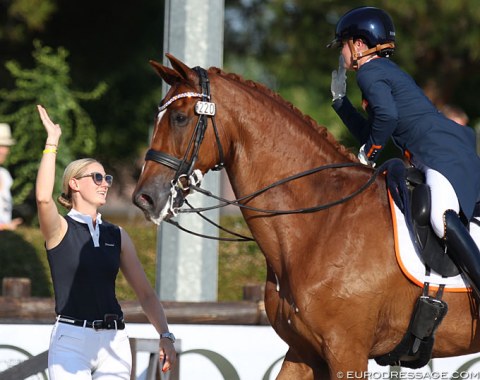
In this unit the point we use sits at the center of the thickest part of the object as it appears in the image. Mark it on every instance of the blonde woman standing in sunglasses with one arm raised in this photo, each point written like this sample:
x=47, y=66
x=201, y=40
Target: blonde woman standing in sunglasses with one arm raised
x=85, y=253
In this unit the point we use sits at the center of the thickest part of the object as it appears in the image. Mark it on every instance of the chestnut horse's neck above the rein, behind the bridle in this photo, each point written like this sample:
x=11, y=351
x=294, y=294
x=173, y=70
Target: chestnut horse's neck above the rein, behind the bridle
x=271, y=141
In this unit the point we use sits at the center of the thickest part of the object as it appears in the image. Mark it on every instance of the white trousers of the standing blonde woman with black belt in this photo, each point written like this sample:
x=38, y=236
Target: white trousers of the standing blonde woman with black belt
x=82, y=353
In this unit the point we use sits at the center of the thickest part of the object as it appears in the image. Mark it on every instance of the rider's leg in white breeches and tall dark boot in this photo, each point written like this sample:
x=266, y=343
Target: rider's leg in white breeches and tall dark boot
x=447, y=225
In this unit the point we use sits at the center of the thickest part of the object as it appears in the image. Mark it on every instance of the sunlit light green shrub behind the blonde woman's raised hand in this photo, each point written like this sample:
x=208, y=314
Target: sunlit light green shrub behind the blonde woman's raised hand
x=49, y=84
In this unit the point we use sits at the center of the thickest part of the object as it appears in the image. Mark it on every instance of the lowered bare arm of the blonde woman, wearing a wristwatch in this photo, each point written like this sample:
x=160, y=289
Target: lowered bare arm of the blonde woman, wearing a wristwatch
x=133, y=271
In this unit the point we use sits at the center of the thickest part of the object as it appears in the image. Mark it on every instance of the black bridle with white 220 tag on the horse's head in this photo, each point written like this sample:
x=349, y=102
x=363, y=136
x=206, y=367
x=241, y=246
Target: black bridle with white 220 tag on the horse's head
x=204, y=109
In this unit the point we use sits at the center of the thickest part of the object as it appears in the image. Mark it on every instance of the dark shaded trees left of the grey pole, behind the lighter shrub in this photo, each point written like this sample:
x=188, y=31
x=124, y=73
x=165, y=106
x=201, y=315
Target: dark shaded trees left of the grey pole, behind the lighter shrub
x=107, y=42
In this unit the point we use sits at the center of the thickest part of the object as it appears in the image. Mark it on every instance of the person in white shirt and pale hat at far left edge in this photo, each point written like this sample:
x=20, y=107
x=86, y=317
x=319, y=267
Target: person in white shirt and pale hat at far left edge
x=6, y=203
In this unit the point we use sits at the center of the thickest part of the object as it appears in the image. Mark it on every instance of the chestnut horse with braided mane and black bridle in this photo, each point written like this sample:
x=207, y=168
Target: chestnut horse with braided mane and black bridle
x=334, y=291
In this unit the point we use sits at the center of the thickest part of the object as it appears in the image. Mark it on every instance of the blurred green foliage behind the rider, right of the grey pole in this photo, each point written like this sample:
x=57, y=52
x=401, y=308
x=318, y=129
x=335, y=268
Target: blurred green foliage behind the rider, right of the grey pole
x=283, y=44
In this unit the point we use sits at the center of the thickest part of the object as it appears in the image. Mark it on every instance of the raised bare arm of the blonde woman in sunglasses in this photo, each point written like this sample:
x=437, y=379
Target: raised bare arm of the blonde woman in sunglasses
x=52, y=225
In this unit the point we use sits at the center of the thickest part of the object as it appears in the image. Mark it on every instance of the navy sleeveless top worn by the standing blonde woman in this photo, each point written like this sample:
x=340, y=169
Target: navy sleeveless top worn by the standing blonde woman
x=83, y=275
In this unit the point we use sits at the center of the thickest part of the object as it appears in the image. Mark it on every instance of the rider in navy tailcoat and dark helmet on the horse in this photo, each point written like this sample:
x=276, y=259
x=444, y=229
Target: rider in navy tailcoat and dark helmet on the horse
x=399, y=110
